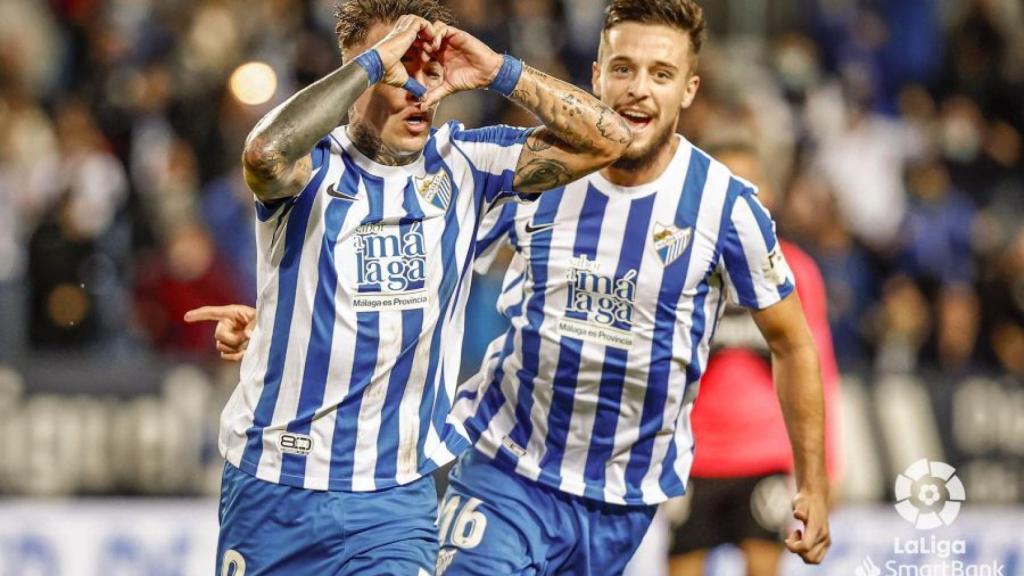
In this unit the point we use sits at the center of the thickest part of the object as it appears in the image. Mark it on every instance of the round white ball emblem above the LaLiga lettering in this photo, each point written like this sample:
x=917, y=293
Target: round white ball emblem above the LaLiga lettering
x=929, y=495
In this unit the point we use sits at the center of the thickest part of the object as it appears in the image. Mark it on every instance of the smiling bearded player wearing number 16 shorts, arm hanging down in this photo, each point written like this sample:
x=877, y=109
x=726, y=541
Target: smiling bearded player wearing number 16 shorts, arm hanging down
x=580, y=418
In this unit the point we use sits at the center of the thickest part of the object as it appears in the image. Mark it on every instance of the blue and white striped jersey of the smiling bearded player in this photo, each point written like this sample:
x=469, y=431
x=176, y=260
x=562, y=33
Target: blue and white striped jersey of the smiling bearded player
x=613, y=299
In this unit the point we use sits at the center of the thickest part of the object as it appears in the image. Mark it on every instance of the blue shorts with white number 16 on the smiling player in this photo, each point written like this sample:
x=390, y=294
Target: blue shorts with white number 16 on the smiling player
x=497, y=522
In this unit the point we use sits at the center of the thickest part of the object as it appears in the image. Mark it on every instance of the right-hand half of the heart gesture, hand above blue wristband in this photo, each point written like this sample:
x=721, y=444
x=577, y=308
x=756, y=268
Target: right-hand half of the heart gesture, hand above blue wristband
x=470, y=64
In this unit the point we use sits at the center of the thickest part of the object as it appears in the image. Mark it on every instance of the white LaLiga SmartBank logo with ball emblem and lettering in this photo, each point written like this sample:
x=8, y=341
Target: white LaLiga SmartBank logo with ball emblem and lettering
x=929, y=496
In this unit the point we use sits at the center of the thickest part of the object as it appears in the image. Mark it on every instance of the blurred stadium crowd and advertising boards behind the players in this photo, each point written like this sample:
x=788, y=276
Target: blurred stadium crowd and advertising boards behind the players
x=892, y=130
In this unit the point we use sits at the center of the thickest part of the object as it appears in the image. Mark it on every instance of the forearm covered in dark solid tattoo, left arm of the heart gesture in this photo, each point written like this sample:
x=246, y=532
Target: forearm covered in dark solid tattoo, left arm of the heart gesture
x=288, y=133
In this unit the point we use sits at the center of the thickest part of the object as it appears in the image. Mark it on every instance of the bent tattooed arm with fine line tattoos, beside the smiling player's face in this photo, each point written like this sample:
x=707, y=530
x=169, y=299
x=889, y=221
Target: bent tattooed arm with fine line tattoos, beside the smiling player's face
x=581, y=134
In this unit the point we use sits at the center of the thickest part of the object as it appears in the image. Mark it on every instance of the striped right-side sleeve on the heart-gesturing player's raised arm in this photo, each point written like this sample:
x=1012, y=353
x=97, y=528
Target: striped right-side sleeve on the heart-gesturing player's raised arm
x=494, y=153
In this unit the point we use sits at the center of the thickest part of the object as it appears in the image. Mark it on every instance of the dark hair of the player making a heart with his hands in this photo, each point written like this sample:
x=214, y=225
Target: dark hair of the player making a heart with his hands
x=354, y=18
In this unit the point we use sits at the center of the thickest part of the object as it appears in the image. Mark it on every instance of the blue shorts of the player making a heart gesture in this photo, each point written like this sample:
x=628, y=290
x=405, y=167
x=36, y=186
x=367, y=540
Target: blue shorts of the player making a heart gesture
x=269, y=528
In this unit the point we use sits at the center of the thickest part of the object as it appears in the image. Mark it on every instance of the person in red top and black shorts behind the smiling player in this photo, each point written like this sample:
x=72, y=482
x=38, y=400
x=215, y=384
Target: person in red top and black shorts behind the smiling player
x=740, y=489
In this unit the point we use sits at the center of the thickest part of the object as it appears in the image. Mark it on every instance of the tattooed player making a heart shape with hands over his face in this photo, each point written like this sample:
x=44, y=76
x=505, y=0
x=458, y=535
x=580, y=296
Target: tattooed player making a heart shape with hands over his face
x=366, y=238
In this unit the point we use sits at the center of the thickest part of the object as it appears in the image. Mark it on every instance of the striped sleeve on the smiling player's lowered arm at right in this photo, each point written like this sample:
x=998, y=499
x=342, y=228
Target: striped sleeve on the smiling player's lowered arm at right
x=757, y=274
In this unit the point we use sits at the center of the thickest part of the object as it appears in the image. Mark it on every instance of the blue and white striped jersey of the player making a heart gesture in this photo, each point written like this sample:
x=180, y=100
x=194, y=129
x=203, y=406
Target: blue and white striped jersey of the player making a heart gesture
x=363, y=285
